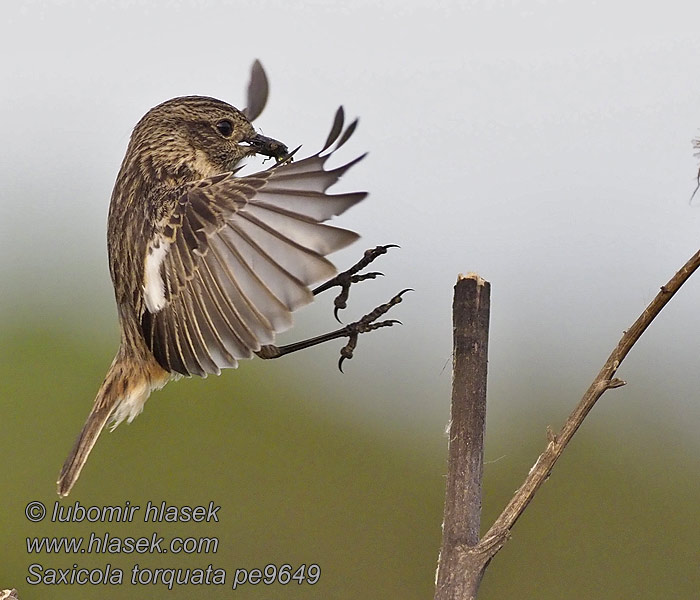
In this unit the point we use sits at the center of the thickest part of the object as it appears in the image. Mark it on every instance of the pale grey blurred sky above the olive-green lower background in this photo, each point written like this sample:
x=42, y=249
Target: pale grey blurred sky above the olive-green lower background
x=545, y=145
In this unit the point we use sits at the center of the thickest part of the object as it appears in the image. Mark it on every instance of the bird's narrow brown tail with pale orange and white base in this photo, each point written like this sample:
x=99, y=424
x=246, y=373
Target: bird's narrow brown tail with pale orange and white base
x=121, y=396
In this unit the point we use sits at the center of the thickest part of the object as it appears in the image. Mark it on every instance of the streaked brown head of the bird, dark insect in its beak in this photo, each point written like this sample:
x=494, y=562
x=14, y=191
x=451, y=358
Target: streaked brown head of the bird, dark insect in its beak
x=189, y=138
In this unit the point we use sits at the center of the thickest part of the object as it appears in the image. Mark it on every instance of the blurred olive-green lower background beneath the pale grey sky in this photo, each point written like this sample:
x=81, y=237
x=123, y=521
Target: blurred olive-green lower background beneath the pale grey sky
x=301, y=479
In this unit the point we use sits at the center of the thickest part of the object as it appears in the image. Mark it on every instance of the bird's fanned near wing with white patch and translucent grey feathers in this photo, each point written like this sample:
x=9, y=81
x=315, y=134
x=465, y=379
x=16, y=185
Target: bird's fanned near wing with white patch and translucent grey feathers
x=237, y=256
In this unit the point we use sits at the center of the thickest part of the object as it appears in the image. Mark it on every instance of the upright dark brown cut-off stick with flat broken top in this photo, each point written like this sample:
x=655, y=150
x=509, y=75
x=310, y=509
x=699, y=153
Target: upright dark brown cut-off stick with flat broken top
x=462, y=517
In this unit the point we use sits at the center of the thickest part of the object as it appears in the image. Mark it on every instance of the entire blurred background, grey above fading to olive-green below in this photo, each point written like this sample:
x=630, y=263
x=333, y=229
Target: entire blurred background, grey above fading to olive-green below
x=546, y=146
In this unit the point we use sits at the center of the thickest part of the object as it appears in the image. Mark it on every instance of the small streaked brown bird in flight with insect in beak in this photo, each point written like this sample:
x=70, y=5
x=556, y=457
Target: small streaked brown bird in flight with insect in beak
x=207, y=267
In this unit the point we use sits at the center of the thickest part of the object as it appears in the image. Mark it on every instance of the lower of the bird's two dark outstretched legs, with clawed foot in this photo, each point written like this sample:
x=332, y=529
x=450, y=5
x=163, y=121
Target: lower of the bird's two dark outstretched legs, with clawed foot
x=351, y=331
